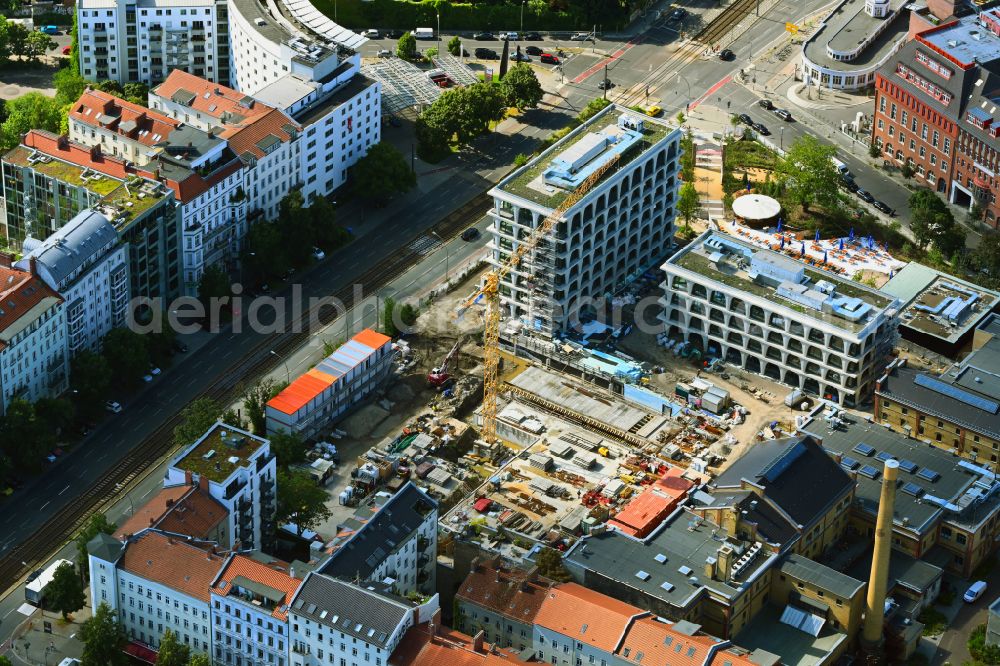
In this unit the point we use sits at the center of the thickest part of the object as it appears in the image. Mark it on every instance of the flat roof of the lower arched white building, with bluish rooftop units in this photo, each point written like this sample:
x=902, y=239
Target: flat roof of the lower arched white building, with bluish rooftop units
x=731, y=266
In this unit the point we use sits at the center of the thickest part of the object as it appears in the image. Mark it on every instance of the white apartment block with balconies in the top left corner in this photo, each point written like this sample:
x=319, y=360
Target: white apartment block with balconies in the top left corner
x=125, y=41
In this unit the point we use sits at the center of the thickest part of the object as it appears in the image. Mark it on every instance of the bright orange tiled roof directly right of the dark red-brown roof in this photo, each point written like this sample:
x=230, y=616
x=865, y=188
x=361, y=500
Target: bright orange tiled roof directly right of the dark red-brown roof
x=586, y=616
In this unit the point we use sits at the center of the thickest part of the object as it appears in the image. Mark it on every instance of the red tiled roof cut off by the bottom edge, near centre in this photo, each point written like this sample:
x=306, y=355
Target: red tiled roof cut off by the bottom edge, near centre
x=447, y=648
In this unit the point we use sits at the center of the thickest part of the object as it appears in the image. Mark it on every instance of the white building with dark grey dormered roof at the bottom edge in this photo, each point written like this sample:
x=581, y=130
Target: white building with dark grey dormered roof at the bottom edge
x=335, y=621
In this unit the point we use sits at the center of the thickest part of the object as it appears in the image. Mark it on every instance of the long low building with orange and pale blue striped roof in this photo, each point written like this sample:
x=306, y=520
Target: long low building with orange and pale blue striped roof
x=326, y=392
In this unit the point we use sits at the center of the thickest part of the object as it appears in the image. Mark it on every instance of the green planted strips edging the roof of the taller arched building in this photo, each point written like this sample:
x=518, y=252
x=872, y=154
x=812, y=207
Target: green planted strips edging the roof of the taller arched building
x=519, y=183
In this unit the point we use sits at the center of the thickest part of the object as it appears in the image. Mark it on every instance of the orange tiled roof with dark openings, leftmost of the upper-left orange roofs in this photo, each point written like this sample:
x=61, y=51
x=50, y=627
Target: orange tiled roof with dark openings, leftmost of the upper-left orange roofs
x=97, y=108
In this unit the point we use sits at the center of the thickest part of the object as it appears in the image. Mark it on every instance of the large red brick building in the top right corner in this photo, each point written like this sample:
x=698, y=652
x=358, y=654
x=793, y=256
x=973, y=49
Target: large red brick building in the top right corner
x=935, y=107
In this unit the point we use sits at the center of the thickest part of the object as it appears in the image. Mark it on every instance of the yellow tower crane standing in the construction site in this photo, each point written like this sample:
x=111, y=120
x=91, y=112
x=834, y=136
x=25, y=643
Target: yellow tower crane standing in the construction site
x=490, y=292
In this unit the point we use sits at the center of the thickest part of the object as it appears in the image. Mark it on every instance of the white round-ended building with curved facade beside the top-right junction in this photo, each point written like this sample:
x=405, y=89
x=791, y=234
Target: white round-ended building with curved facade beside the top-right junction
x=852, y=42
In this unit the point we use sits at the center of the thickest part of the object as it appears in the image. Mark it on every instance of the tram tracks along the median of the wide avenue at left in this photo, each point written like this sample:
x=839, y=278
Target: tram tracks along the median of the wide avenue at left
x=38, y=547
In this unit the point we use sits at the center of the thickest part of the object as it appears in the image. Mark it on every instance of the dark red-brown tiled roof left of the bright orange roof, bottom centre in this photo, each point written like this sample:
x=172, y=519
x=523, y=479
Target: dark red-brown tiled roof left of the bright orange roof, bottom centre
x=512, y=593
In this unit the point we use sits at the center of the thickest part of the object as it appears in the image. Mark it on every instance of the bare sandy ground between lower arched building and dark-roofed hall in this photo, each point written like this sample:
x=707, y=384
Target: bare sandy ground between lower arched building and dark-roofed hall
x=643, y=347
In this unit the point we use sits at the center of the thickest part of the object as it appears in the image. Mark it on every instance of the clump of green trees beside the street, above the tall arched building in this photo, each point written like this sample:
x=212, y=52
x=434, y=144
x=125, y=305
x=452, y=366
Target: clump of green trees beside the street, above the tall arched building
x=460, y=115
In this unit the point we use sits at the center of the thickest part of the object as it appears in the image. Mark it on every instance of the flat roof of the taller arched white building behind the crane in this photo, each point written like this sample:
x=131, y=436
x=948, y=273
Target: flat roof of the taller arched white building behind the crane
x=528, y=182
